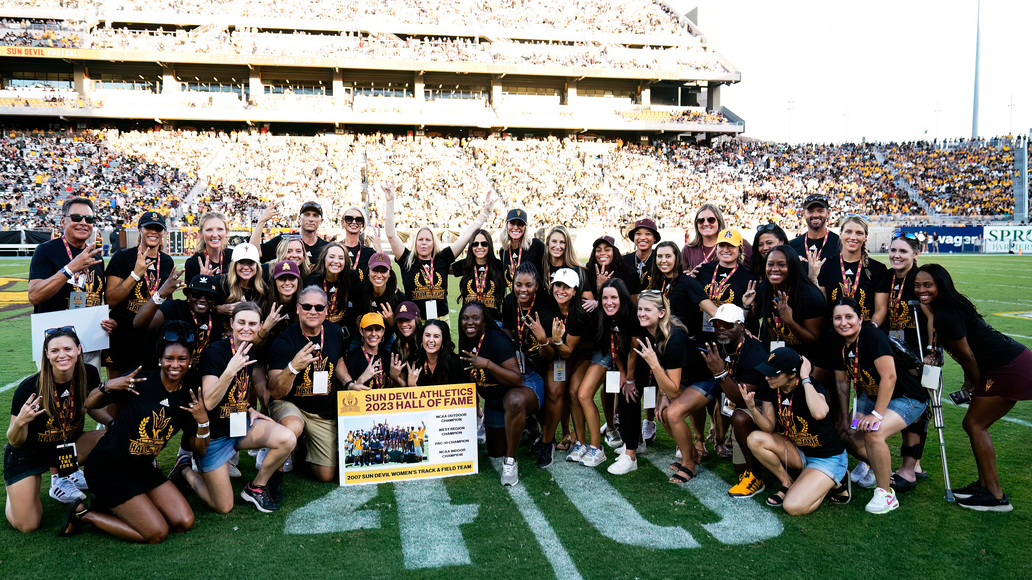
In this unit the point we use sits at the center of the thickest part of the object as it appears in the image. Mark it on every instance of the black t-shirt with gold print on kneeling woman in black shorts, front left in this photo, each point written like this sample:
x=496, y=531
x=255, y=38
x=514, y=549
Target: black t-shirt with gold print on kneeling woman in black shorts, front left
x=146, y=422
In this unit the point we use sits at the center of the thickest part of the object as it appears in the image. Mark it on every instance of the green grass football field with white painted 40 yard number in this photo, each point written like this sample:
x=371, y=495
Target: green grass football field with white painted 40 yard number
x=572, y=522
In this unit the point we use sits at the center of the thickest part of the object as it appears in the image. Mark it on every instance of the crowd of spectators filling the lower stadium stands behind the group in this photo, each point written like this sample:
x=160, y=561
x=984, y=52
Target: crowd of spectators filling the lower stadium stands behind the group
x=576, y=184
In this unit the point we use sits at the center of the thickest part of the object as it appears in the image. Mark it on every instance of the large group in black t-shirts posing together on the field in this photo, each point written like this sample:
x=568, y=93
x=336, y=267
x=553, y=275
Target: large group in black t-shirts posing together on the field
x=770, y=341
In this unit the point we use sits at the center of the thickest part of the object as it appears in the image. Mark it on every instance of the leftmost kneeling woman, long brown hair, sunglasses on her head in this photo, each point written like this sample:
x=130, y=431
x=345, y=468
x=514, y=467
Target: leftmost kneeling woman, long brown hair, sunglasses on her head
x=47, y=414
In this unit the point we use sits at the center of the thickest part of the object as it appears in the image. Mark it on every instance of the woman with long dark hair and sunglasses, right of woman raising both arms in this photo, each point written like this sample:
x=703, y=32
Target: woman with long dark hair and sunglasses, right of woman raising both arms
x=483, y=278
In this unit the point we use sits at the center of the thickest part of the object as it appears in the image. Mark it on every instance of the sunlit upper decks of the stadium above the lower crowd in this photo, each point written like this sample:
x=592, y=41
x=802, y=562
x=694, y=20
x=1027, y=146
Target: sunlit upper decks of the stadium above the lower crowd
x=630, y=67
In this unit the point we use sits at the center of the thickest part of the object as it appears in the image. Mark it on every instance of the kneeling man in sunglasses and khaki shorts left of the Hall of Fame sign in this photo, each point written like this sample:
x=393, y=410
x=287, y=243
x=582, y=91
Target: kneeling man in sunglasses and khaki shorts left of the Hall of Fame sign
x=306, y=370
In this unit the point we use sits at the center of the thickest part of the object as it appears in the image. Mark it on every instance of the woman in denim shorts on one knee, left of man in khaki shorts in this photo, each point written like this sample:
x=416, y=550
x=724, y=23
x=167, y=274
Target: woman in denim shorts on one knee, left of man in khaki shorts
x=230, y=388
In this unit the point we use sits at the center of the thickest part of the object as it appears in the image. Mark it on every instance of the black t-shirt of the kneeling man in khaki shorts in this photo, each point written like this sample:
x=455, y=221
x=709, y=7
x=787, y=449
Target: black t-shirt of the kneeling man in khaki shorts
x=288, y=344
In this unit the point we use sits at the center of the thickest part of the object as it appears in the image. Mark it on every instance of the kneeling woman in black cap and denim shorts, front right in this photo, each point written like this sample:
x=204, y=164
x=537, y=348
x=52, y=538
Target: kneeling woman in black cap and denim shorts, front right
x=811, y=444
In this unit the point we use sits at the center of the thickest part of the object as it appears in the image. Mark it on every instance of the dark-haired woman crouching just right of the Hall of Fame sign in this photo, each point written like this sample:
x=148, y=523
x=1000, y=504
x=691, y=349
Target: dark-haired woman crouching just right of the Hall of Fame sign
x=491, y=360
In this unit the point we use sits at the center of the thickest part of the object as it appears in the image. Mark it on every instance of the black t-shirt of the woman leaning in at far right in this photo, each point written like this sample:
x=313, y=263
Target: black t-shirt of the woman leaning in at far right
x=992, y=349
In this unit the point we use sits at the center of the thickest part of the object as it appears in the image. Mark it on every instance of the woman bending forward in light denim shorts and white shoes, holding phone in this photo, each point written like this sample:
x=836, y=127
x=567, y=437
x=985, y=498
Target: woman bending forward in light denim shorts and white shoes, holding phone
x=889, y=399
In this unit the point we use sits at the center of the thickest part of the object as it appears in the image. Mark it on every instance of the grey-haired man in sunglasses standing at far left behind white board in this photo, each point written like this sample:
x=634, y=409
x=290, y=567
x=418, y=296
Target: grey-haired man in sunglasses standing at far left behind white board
x=66, y=274
